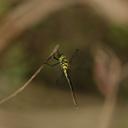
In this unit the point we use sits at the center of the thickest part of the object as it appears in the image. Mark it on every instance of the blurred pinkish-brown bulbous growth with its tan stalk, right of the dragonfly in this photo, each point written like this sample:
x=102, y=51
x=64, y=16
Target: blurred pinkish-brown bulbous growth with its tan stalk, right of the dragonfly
x=107, y=73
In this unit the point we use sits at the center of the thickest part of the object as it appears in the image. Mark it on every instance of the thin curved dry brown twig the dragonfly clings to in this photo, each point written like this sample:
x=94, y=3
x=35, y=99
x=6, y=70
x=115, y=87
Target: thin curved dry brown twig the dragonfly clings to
x=31, y=78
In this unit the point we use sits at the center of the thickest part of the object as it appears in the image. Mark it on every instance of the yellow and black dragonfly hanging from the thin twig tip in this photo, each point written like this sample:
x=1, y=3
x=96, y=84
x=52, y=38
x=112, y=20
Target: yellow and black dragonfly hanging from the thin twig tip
x=64, y=63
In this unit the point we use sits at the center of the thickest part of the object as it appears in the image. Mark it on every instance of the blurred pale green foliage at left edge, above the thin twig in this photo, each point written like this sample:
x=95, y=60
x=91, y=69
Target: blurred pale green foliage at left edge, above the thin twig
x=13, y=69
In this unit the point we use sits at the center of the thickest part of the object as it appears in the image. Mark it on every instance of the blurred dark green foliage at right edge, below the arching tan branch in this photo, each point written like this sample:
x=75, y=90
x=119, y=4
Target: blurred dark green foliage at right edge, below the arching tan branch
x=117, y=39
